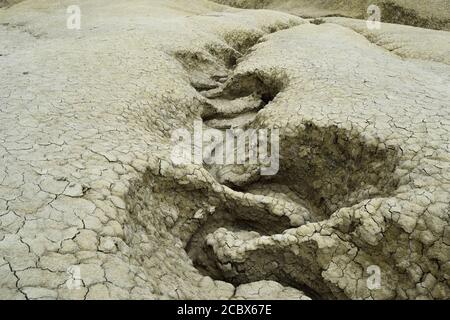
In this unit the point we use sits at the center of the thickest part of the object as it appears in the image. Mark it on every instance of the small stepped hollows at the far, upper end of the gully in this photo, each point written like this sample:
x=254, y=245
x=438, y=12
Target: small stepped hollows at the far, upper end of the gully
x=228, y=96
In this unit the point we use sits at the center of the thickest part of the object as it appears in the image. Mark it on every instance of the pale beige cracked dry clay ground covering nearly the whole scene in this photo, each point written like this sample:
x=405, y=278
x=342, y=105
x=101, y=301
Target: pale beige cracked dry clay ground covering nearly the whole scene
x=86, y=178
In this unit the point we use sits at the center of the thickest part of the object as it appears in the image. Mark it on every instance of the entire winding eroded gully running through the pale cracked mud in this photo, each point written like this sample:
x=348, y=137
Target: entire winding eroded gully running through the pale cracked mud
x=223, y=222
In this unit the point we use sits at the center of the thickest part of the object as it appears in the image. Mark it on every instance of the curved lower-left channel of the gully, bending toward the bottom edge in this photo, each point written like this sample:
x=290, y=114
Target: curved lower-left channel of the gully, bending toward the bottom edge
x=193, y=212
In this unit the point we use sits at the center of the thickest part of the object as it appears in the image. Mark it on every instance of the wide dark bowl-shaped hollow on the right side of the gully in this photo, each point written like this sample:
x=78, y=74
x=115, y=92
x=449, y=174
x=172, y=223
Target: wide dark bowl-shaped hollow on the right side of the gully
x=333, y=168
